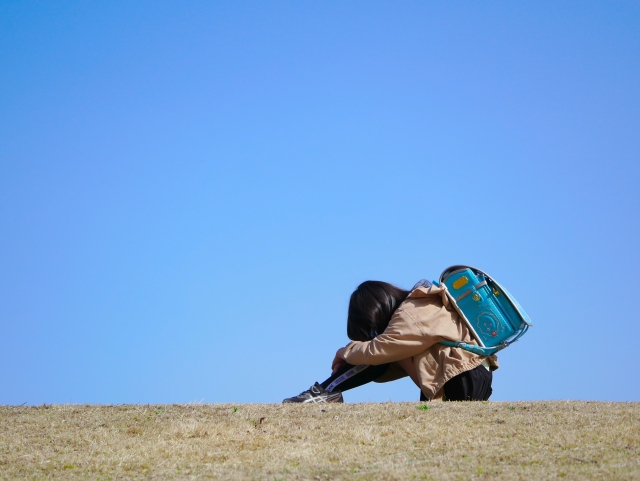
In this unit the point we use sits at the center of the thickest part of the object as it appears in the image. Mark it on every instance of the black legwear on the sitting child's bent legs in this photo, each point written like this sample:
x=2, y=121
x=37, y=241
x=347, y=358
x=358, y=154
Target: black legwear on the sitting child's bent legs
x=473, y=385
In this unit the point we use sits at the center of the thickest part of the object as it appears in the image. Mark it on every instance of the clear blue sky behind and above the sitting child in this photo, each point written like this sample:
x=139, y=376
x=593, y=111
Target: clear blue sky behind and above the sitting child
x=190, y=191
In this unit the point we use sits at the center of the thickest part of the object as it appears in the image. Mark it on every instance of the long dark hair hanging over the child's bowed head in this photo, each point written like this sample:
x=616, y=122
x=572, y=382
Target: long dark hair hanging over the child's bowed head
x=370, y=309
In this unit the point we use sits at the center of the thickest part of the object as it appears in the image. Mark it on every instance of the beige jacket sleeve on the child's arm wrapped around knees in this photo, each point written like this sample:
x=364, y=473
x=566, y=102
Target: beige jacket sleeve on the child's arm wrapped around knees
x=401, y=339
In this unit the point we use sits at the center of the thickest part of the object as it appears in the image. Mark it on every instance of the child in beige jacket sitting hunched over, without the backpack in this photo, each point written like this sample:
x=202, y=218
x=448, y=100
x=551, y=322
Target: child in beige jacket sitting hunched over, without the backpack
x=396, y=333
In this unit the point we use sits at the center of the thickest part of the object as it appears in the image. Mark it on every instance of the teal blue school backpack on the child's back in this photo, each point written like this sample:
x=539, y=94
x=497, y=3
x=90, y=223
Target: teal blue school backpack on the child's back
x=495, y=318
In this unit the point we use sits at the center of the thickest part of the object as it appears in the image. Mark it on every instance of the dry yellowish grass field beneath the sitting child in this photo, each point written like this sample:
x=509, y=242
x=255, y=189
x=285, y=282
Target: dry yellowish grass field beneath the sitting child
x=403, y=441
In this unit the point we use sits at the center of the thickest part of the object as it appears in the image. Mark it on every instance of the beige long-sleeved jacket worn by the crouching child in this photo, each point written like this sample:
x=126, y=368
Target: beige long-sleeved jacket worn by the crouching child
x=422, y=320
